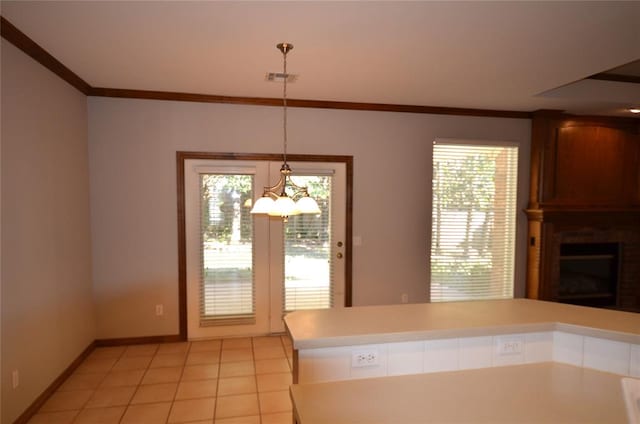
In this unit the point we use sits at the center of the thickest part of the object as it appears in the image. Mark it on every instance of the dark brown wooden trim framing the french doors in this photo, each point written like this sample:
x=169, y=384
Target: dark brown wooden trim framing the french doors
x=182, y=156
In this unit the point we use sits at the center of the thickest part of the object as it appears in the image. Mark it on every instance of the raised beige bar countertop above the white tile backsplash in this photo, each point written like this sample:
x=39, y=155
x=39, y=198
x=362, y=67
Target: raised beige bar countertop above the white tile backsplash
x=396, y=323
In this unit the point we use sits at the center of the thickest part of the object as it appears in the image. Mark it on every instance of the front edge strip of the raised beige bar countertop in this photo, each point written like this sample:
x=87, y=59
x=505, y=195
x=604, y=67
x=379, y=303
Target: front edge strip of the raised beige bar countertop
x=409, y=336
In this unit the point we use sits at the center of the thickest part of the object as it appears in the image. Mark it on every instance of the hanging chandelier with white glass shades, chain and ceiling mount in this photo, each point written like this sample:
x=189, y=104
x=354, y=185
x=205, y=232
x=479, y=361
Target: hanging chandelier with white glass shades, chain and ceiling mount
x=285, y=198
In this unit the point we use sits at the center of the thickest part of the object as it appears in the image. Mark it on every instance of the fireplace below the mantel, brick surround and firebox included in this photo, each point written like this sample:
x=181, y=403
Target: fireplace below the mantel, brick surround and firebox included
x=585, y=258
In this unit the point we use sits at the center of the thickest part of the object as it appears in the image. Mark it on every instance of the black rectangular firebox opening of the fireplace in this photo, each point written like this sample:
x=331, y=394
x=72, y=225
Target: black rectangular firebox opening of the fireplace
x=589, y=274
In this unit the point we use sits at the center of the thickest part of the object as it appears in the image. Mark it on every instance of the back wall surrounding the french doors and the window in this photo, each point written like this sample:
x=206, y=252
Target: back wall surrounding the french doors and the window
x=132, y=145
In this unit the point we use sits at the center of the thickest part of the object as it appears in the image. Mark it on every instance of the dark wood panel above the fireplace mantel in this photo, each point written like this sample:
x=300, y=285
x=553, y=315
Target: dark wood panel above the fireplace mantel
x=584, y=162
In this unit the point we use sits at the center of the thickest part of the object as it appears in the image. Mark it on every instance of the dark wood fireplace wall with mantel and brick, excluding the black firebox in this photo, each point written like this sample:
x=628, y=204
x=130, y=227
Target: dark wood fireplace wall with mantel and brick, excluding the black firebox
x=585, y=188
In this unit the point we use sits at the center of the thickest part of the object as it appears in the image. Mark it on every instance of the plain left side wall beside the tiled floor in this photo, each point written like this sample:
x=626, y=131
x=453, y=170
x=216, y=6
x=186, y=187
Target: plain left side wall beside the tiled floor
x=47, y=301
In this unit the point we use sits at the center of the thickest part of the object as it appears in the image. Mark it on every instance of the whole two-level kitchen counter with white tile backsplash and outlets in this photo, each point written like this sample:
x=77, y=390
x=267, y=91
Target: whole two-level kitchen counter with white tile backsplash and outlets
x=463, y=361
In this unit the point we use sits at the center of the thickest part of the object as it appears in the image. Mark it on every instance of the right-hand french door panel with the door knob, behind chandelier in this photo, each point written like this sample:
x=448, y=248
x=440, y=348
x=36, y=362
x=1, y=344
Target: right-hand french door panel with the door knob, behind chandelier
x=309, y=269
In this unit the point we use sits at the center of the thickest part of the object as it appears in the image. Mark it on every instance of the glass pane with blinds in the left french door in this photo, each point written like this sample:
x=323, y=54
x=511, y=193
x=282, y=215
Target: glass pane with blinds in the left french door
x=227, y=280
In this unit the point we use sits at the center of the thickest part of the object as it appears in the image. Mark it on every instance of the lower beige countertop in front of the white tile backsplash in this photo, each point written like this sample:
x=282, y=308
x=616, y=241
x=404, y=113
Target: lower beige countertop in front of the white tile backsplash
x=535, y=393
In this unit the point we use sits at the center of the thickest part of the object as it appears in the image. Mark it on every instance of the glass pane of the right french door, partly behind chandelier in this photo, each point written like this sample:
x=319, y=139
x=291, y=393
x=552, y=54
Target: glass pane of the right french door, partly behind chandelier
x=307, y=251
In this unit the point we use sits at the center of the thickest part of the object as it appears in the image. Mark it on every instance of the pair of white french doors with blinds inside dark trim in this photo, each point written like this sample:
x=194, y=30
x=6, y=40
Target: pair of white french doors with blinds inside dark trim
x=245, y=272
